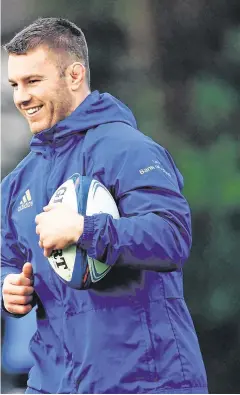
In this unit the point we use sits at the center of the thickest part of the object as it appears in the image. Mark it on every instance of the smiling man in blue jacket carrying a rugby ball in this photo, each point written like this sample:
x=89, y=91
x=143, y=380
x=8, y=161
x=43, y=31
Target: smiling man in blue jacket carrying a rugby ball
x=131, y=332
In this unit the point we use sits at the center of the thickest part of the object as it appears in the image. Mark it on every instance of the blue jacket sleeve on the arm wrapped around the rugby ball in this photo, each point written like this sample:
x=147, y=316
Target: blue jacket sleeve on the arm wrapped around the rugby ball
x=154, y=231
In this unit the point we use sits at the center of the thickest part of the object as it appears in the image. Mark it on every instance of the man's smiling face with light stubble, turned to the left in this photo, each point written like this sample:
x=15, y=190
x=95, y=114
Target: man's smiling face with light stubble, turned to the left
x=40, y=93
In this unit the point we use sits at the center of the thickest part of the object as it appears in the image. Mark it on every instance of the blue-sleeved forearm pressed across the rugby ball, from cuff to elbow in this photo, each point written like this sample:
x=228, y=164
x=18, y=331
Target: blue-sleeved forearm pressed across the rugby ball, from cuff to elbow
x=147, y=242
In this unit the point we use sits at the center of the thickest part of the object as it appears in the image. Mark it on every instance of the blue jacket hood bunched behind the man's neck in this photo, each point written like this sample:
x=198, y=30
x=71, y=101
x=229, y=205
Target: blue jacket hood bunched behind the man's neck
x=96, y=109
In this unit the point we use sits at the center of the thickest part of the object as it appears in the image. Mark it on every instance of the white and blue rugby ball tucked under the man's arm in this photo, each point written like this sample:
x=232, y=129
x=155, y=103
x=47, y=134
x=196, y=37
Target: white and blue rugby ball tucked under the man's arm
x=86, y=196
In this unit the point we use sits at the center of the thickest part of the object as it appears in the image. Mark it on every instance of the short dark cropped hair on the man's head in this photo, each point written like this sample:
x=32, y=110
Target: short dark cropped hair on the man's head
x=56, y=33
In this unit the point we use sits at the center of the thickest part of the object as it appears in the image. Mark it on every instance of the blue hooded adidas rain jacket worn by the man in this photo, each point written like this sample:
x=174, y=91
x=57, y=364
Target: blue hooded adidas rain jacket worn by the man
x=131, y=332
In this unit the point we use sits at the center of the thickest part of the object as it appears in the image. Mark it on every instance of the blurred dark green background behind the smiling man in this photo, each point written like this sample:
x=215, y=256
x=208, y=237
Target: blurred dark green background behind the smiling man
x=176, y=64
